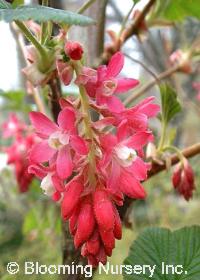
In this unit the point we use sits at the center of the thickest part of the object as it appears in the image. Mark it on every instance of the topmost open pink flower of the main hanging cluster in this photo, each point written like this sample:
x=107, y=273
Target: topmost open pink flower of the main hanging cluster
x=104, y=84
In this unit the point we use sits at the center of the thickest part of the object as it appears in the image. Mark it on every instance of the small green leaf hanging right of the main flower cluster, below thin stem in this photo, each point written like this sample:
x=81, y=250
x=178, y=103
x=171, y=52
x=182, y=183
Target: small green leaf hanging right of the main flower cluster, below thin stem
x=170, y=104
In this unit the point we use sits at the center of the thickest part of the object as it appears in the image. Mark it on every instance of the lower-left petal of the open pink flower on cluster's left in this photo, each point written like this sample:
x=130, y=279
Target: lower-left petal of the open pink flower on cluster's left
x=41, y=152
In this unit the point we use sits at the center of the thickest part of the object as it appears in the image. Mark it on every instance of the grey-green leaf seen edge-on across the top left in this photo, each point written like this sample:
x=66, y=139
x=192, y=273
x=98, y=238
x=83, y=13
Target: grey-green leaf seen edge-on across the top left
x=42, y=14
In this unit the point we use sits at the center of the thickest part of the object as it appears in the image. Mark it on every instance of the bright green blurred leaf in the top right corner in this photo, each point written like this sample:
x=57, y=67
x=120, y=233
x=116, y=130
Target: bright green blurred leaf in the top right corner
x=177, y=10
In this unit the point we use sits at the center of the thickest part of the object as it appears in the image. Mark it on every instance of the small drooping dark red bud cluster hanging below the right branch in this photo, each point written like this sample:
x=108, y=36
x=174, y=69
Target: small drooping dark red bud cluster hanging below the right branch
x=183, y=179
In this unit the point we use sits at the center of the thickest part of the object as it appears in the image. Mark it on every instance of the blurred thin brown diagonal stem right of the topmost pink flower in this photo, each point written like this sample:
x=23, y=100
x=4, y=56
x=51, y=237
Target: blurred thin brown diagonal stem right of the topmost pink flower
x=150, y=84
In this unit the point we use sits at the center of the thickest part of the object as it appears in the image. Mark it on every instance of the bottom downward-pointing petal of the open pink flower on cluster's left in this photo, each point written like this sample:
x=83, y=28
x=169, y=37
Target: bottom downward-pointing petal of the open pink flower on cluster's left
x=64, y=163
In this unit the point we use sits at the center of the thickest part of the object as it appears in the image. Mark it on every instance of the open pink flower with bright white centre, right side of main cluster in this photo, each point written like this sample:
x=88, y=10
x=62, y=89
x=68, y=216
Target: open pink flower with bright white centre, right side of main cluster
x=121, y=164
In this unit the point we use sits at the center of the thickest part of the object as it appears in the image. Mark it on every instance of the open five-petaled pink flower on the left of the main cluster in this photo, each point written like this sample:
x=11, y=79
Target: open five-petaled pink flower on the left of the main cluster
x=58, y=141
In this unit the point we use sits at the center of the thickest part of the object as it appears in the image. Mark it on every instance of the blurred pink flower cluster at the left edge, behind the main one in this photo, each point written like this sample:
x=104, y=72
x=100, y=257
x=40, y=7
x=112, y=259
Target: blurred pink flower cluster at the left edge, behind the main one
x=18, y=151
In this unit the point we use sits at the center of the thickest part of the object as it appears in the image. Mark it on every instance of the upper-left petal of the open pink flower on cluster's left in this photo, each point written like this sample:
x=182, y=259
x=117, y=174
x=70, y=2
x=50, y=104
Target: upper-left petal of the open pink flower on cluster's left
x=43, y=125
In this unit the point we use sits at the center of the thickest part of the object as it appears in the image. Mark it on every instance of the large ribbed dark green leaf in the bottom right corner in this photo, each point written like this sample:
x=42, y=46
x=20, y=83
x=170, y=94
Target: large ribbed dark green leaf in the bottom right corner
x=158, y=245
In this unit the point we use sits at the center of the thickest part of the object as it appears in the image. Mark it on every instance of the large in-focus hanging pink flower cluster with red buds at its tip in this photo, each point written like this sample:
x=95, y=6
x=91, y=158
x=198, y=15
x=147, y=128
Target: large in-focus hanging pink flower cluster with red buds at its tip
x=89, y=166
